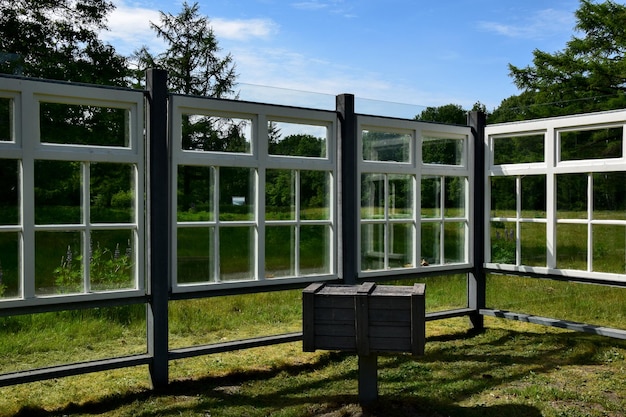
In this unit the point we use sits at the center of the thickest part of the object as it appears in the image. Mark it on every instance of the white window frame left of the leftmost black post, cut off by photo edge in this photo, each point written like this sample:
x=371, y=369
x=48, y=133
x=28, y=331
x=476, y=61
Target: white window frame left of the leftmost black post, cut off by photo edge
x=27, y=148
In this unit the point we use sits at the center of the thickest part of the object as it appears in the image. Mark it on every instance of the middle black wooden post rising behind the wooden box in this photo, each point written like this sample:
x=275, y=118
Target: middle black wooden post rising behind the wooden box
x=347, y=188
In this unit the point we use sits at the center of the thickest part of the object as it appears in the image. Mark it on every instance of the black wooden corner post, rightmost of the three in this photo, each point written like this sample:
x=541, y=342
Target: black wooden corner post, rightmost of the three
x=476, y=280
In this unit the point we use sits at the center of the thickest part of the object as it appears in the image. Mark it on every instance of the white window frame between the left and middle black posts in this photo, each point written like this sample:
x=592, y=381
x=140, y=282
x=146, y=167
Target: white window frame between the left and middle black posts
x=259, y=160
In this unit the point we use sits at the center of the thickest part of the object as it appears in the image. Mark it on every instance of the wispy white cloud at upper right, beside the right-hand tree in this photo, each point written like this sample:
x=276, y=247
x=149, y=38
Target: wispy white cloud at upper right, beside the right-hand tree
x=539, y=25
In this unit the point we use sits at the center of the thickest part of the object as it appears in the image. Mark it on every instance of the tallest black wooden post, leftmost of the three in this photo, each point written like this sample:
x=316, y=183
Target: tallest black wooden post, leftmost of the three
x=159, y=229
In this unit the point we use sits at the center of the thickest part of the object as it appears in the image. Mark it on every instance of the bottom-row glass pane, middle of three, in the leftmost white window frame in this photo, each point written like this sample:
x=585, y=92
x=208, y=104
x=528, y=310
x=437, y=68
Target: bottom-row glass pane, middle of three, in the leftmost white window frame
x=58, y=263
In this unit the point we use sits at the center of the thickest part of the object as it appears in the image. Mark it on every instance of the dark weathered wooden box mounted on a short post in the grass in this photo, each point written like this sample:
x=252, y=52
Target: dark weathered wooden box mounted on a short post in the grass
x=365, y=319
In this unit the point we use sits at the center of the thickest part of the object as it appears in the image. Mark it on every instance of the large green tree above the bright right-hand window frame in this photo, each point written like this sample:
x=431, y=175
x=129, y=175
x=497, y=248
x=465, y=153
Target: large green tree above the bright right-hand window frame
x=589, y=74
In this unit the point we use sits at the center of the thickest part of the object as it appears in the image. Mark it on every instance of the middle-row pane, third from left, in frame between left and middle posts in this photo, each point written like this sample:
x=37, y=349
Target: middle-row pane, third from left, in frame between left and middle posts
x=280, y=194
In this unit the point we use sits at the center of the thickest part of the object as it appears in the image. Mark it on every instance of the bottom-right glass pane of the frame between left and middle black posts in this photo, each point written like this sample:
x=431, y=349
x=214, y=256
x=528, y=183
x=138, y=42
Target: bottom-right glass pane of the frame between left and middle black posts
x=315, y=250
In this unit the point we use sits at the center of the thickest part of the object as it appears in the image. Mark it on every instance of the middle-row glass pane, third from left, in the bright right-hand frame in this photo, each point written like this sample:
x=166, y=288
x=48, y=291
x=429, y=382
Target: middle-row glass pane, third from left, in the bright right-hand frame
x=571, y=196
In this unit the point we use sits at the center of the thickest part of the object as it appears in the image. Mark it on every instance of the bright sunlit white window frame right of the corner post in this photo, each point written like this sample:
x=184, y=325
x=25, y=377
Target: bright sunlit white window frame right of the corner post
x=550, y=168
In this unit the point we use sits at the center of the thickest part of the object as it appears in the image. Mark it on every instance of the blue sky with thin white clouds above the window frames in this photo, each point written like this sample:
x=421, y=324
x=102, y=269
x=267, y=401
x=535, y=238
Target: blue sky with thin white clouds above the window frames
x=422, y=53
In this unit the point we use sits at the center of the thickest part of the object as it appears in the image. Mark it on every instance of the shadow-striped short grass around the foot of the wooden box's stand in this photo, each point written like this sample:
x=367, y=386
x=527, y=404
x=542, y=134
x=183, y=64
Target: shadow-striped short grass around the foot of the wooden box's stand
x=454, y=369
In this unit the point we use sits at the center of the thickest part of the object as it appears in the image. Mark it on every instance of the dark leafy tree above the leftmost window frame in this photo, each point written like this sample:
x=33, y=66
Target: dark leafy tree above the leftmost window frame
x=58, y=39
